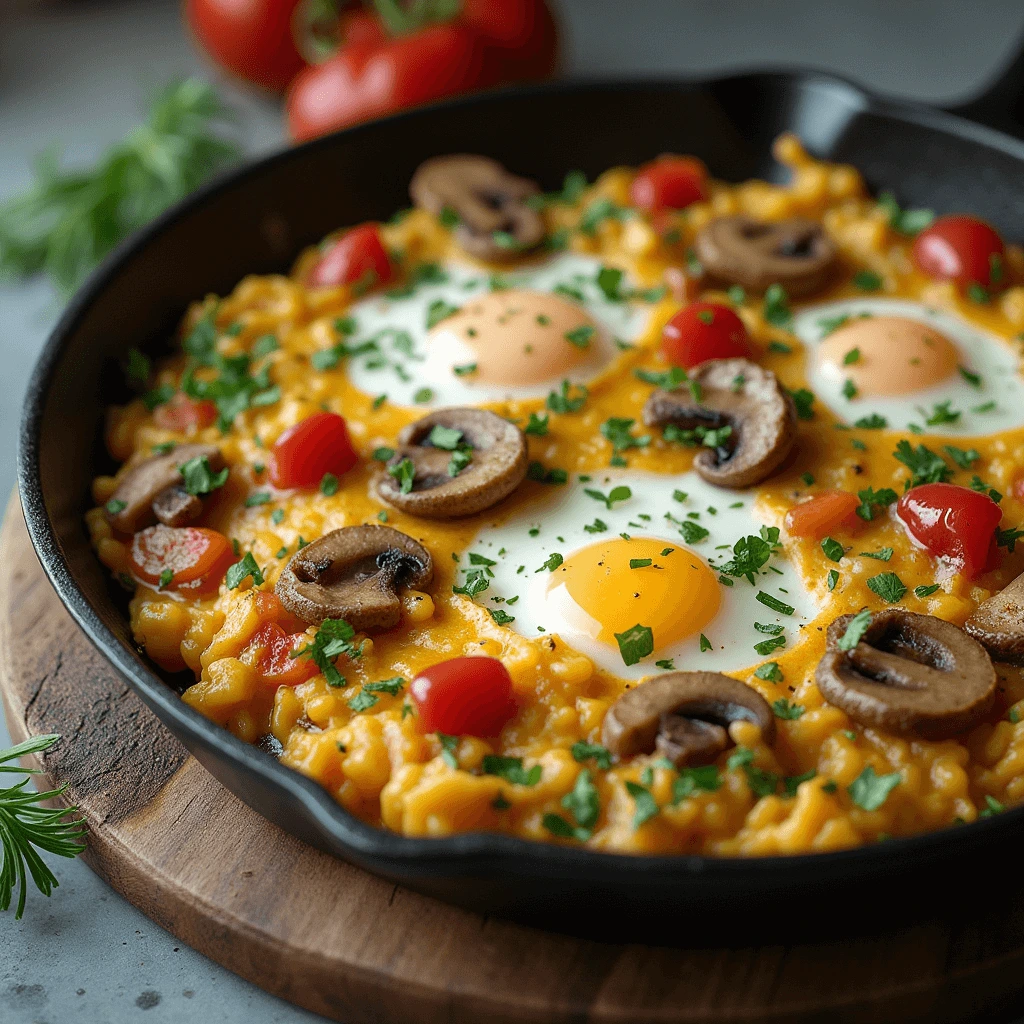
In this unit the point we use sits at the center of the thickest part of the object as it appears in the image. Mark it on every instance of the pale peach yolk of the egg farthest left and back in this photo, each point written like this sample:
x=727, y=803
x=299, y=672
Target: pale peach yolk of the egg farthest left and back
x=518, y=337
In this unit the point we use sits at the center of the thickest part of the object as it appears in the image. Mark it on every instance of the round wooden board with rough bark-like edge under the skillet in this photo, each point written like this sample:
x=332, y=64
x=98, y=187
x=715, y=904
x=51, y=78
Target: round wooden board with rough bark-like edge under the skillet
x=313, y=930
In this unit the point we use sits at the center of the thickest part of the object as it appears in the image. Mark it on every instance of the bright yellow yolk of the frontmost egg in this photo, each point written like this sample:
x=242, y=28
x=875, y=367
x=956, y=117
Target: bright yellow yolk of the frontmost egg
x=612, y=586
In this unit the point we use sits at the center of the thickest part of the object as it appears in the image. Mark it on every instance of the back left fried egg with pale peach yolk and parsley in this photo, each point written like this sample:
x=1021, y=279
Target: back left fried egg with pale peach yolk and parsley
x=465, y=338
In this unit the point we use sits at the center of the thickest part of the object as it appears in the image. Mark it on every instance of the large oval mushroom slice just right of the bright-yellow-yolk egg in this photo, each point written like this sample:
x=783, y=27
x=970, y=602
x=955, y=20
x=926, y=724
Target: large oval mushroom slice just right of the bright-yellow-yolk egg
x=912, y=674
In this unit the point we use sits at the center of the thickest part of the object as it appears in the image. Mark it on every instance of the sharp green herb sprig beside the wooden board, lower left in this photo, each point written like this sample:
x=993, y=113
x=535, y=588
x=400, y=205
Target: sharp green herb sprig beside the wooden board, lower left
x=25, y=825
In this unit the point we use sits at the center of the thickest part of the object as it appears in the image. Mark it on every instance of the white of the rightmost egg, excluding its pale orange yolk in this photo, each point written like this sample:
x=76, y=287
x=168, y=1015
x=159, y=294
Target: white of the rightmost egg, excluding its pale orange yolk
x=988, y=356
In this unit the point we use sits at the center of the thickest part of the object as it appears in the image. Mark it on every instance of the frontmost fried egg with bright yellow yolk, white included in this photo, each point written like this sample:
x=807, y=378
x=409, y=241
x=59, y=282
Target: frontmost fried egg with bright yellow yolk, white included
x=595, y=560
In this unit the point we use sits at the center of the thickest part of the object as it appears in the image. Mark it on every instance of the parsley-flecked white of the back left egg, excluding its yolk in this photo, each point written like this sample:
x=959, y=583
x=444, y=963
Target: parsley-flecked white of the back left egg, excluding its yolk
x=405, y=365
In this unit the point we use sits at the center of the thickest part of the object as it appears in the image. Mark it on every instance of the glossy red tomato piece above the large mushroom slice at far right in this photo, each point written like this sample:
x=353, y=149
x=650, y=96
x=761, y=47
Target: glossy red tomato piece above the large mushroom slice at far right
x=956, y=524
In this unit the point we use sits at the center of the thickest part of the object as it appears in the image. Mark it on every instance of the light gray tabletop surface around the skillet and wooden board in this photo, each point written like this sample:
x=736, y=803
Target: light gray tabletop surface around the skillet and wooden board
x=77, y=72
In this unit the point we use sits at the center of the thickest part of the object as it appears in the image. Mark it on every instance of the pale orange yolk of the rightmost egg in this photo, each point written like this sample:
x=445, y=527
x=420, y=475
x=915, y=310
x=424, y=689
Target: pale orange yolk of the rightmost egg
x=889, y=355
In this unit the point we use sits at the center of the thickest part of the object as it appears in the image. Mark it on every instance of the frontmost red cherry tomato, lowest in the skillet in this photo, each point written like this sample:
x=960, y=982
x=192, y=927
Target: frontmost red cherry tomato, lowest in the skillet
x=464, y=697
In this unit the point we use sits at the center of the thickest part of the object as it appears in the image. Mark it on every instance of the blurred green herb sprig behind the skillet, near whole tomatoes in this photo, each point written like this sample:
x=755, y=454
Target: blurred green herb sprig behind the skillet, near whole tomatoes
x=70, y=220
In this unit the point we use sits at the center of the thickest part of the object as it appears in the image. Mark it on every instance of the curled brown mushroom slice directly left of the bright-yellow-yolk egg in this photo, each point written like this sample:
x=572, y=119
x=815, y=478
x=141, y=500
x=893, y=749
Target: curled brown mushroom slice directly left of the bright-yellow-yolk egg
x=355, y=574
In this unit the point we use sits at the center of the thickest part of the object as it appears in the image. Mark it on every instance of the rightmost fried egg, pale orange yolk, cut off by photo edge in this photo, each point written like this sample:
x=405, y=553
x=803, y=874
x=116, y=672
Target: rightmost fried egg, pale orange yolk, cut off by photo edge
x=881, y=363
